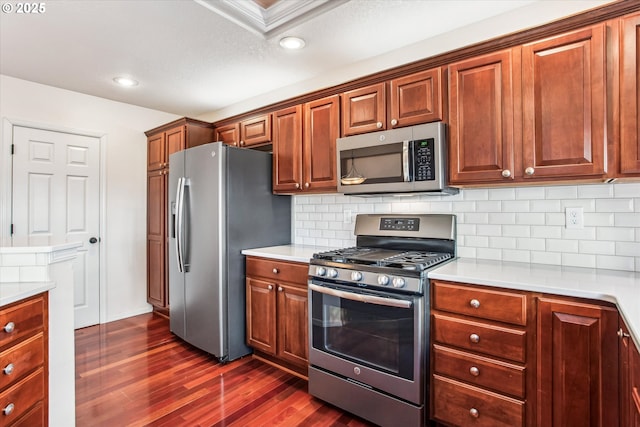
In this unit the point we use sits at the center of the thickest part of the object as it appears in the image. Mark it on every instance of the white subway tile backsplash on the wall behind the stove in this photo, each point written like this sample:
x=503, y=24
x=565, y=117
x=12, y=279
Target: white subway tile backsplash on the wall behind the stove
x=525, y=224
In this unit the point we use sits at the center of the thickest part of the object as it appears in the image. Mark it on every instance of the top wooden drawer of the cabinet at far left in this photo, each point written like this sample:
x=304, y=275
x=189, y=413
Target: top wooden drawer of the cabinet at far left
x=24, y=317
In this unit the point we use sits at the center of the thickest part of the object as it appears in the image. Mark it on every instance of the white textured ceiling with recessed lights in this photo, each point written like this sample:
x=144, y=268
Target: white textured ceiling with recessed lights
x=191, y=61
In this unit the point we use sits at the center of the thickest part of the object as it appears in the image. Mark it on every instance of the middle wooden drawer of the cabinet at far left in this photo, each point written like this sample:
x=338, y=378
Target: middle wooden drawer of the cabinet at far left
x=23, y=357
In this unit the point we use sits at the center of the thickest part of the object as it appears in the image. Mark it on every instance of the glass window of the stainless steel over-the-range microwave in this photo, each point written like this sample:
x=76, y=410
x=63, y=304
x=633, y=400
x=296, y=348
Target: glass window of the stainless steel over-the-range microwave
x=378, y=164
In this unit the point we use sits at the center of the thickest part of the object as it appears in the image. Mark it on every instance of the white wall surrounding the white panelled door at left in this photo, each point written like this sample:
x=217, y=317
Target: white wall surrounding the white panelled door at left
x=123, y=125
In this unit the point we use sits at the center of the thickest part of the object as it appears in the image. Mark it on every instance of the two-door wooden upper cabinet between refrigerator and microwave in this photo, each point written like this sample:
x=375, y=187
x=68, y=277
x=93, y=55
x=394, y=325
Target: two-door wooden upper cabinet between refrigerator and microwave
x=304, y=147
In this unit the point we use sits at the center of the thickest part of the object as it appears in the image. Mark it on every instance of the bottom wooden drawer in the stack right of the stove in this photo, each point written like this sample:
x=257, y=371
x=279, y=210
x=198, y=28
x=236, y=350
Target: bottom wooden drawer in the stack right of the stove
x=464, y=405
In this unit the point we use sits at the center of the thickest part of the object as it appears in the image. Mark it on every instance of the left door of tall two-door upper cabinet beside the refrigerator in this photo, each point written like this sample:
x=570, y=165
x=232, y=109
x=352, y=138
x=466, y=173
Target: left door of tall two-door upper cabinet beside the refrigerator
x=287, y=149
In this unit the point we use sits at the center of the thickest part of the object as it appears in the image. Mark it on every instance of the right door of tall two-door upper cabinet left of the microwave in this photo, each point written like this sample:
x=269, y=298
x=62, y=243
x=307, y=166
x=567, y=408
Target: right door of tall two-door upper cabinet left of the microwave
x=321, y=129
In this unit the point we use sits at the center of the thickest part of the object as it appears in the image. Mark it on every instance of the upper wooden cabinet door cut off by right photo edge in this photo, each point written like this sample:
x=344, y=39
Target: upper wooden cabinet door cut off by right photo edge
x=629, y=93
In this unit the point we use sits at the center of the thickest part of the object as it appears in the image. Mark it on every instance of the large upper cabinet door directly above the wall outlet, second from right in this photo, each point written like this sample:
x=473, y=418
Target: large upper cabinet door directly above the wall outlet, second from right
x=563, y=98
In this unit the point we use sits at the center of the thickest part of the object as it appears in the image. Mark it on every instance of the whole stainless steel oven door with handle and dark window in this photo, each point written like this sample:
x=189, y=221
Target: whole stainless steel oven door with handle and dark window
x=372, y=338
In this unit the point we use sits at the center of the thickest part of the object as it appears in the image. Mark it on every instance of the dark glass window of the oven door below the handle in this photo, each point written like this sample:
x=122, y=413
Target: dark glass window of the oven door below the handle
x=376, y=336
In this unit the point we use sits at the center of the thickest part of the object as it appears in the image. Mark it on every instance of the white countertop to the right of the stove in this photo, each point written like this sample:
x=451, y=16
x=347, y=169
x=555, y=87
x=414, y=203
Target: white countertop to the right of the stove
x=619, y=287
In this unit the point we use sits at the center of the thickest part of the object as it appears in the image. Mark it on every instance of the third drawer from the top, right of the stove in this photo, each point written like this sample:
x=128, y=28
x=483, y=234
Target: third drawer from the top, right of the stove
x=499, y=376
